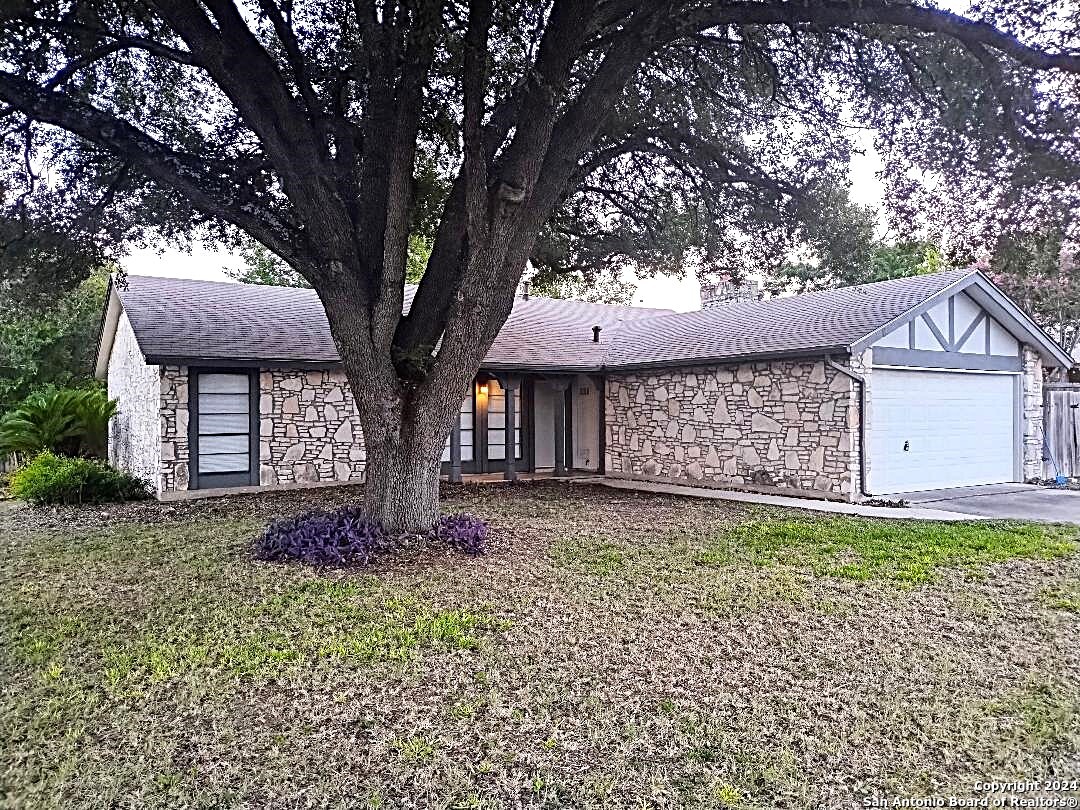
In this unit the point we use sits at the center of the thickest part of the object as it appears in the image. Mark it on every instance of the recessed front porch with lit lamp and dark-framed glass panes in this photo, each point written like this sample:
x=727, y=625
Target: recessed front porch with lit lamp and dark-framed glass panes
x=557, y=428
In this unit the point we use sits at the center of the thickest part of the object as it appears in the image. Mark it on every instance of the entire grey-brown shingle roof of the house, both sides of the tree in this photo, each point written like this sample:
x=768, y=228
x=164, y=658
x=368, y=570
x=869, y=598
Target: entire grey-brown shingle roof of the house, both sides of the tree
x=179, y=320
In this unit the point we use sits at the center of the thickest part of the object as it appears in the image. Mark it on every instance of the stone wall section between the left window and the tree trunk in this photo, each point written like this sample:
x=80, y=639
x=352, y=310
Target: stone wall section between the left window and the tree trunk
x=309, y=429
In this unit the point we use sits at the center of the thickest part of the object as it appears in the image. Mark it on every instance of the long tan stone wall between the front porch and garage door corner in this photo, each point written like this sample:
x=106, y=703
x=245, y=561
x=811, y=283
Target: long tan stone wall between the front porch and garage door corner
x=771, y=425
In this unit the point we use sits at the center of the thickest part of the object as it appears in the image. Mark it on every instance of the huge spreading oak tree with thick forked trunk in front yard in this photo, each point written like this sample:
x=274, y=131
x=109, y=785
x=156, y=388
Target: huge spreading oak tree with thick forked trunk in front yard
x=580, y=134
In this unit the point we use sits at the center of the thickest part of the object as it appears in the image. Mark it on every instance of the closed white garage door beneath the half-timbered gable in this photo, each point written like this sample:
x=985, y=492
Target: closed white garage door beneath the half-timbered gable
x=930, y=430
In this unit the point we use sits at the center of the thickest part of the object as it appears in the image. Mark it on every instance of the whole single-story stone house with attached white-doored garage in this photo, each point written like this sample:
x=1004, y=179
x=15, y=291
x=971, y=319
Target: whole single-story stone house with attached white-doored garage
x=914, y=384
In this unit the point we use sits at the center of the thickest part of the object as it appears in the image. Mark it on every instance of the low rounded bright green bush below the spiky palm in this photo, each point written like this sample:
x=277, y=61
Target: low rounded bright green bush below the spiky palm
x=51, y=479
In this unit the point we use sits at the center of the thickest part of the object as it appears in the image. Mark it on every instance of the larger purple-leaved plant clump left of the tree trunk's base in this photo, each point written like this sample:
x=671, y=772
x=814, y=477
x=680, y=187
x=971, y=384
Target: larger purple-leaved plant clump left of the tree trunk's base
x=347, y=536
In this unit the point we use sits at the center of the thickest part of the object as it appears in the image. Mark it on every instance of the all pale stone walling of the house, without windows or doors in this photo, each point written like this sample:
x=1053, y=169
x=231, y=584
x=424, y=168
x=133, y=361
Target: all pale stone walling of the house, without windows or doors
x=790, y=425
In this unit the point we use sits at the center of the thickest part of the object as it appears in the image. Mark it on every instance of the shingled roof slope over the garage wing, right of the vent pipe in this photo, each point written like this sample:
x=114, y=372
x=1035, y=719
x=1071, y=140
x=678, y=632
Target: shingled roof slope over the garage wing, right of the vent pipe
x=815, y=322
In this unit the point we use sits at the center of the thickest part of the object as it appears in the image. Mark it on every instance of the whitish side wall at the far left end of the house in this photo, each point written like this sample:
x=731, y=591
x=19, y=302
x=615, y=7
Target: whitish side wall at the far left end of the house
x=134, y=441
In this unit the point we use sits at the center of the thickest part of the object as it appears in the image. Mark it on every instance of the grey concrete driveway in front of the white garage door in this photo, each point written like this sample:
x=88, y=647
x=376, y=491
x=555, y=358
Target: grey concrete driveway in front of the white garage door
x=1020, y=502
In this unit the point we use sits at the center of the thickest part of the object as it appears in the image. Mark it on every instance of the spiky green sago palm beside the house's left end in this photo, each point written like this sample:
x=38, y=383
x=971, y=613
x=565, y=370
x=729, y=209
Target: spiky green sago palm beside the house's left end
x=69, y=422
